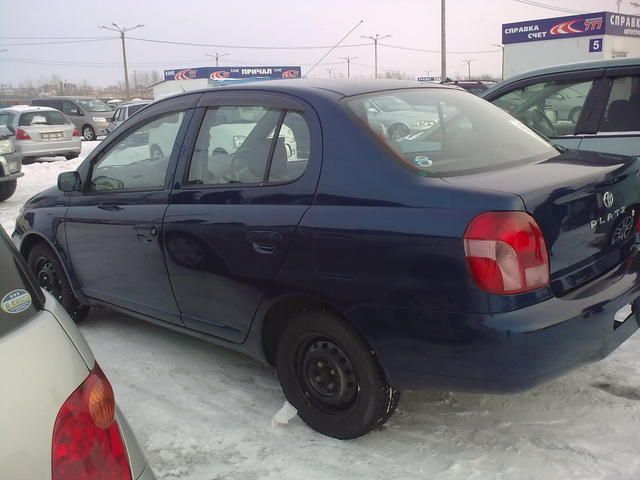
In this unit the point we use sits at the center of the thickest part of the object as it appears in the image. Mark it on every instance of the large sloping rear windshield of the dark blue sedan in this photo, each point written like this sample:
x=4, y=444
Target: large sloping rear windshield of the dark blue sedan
x=444, y=132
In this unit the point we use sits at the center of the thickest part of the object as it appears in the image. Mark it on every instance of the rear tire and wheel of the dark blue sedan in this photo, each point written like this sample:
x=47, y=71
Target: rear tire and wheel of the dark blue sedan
x=331, y=376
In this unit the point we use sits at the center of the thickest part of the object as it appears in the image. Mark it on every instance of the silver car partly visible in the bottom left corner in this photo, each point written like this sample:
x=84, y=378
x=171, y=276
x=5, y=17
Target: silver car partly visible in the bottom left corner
x=59, y=418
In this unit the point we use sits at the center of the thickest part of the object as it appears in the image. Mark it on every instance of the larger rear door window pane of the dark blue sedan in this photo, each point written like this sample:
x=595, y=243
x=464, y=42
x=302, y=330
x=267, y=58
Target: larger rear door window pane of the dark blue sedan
x=234, y=145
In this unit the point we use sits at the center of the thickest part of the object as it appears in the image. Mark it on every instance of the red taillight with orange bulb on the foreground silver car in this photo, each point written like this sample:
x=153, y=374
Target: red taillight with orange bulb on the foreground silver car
x=87, y=444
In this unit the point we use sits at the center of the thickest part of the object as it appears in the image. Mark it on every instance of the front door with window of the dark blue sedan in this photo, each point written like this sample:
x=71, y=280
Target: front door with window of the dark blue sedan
x=114, y=228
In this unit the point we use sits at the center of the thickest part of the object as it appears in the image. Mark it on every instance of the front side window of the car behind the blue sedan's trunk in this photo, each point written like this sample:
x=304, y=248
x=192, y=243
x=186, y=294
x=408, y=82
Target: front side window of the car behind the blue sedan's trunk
x=550, y=108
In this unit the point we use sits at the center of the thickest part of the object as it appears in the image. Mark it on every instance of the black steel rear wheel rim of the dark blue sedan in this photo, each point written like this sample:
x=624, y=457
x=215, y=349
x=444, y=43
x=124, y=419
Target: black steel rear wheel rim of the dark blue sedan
x=326, y=376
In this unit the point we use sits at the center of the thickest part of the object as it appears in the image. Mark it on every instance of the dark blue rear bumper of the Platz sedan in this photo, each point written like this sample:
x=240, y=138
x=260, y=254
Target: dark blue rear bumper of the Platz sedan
x=504, y=352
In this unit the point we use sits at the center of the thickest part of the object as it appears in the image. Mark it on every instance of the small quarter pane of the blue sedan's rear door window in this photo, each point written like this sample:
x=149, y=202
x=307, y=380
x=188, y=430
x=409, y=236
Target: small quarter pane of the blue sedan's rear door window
x=291, y=153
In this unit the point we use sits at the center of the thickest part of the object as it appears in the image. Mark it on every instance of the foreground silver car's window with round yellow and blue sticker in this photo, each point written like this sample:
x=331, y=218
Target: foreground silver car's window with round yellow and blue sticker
x=20, y=298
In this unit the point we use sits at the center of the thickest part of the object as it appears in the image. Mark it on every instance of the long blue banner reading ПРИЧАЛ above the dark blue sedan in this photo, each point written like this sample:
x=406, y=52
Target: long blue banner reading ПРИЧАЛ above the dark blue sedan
x=233, y=73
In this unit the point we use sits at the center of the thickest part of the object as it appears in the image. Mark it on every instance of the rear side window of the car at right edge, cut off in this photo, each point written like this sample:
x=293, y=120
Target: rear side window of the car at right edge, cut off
x=623, y=107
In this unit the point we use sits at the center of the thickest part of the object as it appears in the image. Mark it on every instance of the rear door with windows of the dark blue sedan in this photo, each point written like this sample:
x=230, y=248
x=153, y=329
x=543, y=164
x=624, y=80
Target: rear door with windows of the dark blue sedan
x=250, y=176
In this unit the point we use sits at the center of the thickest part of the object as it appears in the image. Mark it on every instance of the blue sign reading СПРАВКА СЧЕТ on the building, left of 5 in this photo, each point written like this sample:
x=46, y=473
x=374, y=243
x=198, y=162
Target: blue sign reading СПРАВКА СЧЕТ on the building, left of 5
x=554, y=28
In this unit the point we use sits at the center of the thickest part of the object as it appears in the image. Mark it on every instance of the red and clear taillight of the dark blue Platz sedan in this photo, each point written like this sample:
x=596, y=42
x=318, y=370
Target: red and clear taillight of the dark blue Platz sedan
x=506, y=252
